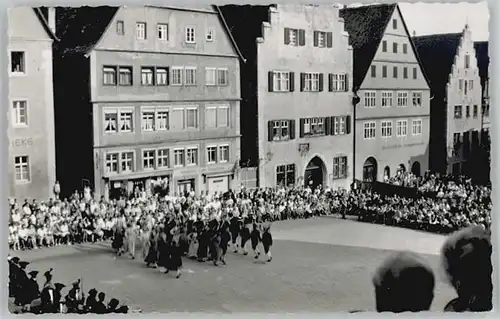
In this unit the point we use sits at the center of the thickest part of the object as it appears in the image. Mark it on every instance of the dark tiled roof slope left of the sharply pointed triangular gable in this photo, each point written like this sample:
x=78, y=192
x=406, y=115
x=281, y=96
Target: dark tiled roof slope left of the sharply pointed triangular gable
x=366, y=26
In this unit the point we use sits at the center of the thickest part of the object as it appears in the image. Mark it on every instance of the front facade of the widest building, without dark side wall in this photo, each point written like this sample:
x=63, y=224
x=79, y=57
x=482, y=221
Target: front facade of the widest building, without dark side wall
x=165, y=91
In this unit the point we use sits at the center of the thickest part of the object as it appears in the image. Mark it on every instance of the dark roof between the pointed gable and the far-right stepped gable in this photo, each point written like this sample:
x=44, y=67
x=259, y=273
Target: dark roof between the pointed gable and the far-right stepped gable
x=437, y=53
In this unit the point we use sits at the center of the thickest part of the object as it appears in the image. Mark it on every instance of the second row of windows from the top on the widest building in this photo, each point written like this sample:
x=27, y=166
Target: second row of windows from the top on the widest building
x=163, y=76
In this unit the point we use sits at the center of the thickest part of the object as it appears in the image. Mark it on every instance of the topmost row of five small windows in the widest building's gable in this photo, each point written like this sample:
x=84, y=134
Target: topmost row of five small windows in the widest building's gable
x=162, y=32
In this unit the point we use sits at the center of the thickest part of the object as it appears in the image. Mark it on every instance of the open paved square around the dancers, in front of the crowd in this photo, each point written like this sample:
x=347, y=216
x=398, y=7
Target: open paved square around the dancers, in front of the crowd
x=318, y=265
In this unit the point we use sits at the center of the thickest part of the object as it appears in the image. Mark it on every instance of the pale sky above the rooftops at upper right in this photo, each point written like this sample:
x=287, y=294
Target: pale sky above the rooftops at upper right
x=432, y=18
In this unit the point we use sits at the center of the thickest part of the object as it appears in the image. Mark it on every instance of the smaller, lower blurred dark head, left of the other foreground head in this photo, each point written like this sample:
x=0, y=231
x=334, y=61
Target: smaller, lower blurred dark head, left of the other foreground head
x=404, y=282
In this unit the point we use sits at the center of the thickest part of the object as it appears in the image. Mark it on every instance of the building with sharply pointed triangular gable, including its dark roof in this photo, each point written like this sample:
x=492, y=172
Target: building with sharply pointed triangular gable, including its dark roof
x=392, y=117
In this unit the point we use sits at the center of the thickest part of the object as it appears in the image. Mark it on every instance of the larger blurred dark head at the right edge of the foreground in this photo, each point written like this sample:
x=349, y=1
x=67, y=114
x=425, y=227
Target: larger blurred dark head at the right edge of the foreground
x=466, y=257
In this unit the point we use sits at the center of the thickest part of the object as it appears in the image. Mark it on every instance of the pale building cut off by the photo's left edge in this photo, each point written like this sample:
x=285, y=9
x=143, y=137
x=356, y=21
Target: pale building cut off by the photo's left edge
x=31, y=103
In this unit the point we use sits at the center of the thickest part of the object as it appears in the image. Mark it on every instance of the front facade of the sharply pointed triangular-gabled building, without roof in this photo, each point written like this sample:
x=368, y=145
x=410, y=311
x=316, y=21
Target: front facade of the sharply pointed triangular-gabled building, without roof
x=393, y=115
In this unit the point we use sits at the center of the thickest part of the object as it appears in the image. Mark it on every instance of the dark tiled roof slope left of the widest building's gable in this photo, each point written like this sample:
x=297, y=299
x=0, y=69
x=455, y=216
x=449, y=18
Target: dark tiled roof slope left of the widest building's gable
x=81, y=28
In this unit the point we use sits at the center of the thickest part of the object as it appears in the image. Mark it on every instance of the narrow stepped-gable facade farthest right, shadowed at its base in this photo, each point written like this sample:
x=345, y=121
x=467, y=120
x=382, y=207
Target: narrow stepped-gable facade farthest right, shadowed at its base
x=464, y=100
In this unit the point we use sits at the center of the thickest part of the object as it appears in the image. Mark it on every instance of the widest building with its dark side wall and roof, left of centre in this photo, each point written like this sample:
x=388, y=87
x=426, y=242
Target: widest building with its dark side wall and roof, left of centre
x=148, y=97
